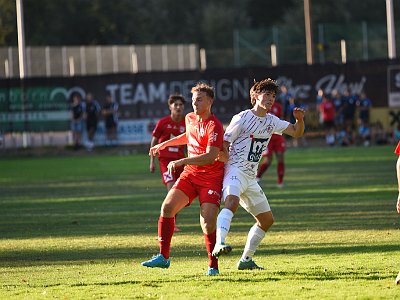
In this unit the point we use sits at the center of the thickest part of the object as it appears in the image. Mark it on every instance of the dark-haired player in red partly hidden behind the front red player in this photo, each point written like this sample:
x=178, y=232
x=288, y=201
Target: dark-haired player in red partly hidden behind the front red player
x=167, y=128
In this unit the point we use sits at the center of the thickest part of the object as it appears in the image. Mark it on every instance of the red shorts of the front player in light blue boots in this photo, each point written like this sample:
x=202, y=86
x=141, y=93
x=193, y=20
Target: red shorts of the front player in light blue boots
x=194, y=185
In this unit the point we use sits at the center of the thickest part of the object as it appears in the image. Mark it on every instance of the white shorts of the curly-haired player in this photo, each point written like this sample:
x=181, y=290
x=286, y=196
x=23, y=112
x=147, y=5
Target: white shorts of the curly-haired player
x=251, y=195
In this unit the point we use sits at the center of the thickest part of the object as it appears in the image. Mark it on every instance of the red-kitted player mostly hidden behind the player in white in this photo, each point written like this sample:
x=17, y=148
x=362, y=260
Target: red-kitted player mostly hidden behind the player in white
x=277, y=145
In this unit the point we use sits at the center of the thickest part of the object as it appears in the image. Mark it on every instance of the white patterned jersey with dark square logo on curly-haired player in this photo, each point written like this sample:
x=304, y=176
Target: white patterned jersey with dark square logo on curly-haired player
x=249, y=136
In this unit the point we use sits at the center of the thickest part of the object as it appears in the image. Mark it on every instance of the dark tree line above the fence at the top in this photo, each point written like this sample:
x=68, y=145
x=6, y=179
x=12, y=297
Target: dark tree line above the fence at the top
x=208, y=23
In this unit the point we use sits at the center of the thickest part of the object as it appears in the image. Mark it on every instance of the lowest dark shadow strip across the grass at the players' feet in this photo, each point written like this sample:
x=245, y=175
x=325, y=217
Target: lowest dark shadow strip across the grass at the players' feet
x=23, y=258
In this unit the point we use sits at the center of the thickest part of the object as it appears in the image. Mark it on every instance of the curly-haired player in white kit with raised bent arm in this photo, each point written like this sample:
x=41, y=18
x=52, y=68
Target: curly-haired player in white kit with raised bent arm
x=245, y=139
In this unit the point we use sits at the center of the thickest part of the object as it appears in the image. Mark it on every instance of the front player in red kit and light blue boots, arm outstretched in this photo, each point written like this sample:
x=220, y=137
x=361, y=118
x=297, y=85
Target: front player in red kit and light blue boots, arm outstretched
x=202, y=177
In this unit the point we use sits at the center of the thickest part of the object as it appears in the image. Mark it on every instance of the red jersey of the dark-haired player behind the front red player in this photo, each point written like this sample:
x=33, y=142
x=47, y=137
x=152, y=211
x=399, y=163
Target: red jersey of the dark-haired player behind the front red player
x=166, y=129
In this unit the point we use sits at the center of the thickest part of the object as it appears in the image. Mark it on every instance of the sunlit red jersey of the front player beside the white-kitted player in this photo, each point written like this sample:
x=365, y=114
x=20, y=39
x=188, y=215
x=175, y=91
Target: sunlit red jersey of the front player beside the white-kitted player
x=200, y=135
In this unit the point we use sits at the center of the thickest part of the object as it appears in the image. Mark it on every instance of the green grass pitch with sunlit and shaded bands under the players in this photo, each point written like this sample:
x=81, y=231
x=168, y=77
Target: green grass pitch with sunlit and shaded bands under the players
x=78, y=228
